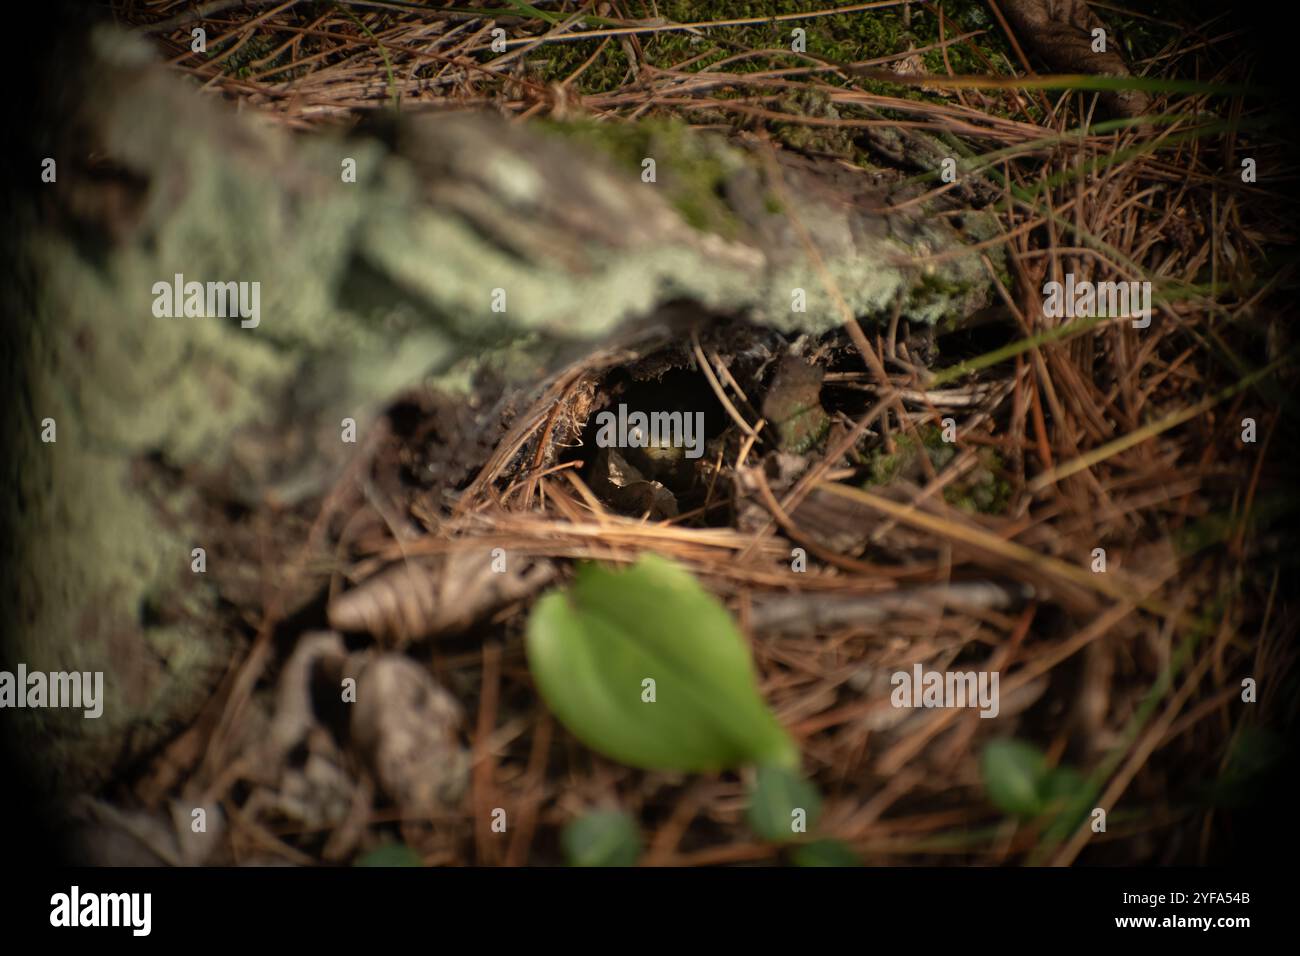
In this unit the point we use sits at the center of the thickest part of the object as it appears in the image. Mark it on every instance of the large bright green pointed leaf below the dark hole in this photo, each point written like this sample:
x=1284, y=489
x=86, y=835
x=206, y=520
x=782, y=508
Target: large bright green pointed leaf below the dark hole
x=592, y=648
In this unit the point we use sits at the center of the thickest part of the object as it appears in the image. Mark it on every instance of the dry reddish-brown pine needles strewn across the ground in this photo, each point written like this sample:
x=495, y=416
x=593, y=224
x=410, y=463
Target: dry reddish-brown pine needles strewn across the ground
x=1110, y=439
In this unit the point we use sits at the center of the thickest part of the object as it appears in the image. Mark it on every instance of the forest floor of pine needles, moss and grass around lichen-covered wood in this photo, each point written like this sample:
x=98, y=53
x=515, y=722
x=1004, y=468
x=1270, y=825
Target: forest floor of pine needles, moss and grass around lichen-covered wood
x=1091, y=507
